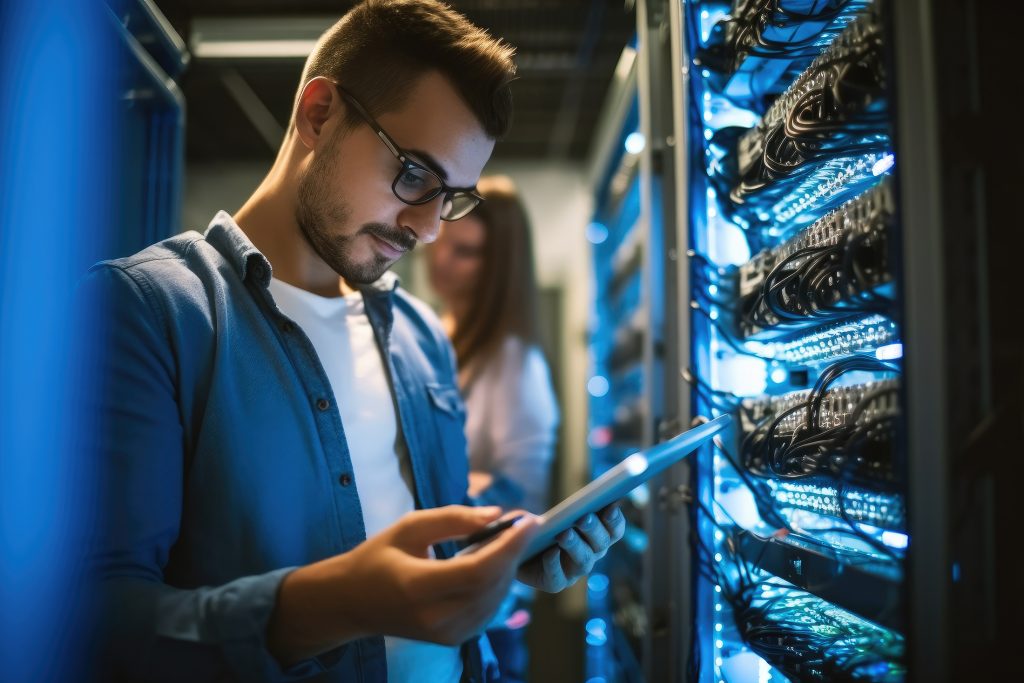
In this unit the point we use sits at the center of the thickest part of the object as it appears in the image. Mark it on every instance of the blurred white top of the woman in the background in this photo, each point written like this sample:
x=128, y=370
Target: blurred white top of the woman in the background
x=511, y=420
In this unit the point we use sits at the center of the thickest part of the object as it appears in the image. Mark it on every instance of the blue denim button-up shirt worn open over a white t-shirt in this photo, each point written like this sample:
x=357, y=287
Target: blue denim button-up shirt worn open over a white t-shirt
x=226, y=459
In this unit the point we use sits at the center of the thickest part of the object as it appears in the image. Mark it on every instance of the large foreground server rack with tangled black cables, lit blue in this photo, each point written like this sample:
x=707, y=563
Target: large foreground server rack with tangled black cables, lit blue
x=797, y=156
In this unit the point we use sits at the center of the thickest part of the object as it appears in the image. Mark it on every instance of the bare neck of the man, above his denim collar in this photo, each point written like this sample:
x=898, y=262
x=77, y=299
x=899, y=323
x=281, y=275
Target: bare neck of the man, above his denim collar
x=268, y=219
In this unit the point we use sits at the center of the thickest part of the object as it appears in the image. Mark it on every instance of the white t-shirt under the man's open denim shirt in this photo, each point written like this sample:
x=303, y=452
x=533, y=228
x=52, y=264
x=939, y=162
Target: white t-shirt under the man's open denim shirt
x=345, y=340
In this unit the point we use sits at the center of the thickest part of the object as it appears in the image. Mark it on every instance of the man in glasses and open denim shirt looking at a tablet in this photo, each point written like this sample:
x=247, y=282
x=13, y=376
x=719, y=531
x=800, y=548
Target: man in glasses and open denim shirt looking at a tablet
x=277, y=409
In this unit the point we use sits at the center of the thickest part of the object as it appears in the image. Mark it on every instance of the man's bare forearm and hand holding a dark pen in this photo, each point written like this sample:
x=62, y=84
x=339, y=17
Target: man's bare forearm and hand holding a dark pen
x=391, y=585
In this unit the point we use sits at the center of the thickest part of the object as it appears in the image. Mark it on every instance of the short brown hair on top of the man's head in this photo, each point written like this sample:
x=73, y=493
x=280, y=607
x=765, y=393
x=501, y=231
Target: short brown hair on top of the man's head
x=379, y=49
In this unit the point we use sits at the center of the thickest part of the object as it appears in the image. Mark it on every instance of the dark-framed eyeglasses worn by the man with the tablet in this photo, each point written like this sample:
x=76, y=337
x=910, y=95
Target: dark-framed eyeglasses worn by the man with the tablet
x=417, y=185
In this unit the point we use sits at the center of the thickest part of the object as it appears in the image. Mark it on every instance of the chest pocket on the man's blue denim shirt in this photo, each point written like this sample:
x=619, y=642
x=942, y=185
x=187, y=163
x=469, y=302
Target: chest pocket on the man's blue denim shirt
x=449, y=450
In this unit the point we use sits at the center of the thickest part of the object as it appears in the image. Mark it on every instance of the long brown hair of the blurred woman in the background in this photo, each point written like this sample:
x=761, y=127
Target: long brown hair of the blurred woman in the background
x=504, y=302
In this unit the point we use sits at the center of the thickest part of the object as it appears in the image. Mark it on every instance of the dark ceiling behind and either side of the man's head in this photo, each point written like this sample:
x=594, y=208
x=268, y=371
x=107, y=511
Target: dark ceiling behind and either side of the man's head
x=567, y=55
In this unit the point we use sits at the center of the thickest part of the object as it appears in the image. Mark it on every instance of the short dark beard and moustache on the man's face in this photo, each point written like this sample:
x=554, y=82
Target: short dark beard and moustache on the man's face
x=319, y=207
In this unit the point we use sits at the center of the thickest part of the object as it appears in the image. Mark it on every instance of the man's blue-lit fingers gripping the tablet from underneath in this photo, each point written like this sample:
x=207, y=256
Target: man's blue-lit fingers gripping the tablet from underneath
x=578, y=550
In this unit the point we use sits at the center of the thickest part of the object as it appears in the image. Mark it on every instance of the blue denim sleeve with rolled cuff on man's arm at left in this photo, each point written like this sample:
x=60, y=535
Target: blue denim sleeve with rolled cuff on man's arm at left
x=155, y=631
